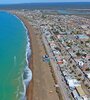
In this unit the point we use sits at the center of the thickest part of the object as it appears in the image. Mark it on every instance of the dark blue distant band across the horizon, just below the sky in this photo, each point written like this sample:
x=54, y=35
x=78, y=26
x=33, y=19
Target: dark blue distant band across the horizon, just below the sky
x=50, y=6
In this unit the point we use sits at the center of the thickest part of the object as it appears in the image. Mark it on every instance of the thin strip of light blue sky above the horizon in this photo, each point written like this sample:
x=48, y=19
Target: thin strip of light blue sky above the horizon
x=31, y=1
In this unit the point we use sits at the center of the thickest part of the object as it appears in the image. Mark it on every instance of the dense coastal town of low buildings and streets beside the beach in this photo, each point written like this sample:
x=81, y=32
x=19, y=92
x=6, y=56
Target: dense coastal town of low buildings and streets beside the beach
x=66, y=39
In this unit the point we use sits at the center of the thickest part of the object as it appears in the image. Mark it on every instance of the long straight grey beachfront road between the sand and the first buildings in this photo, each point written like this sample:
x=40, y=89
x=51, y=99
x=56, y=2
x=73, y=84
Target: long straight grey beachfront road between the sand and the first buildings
x=58, y=75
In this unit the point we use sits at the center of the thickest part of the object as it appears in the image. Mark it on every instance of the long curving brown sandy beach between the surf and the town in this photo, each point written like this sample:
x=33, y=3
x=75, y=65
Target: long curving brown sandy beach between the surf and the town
x=42, y=85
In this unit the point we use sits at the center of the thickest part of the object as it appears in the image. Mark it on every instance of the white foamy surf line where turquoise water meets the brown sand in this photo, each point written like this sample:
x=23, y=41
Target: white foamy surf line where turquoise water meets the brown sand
x=27, y=70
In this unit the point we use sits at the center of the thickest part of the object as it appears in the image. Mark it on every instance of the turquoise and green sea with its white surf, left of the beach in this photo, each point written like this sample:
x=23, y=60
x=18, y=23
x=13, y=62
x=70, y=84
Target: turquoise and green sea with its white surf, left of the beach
x=14, y=53
